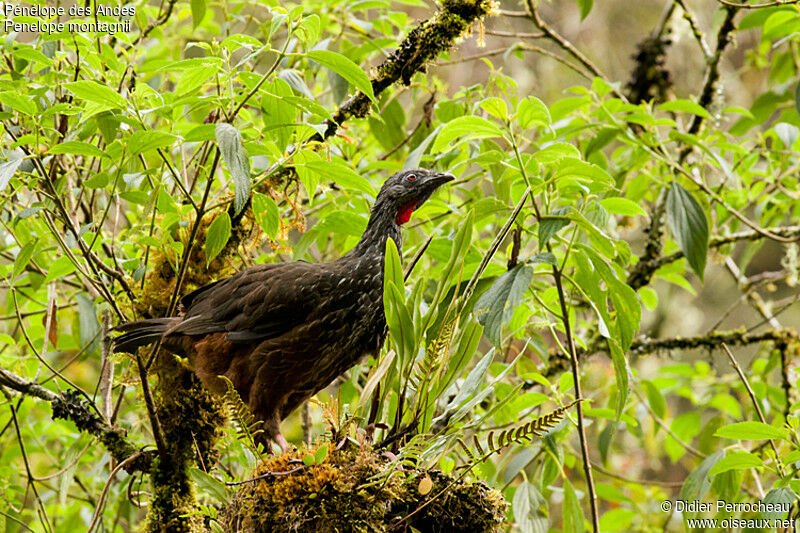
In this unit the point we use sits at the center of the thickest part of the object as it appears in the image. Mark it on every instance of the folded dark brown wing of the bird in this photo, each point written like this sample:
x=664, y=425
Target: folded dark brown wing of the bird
x=258, y=303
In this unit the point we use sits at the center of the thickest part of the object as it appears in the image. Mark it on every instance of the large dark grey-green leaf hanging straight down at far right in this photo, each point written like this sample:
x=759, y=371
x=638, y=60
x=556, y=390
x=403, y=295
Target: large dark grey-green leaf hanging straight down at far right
x=689, y=226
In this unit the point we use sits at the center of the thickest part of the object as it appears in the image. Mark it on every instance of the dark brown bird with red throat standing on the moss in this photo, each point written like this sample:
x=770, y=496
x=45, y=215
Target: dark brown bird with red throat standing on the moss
x=283, y=331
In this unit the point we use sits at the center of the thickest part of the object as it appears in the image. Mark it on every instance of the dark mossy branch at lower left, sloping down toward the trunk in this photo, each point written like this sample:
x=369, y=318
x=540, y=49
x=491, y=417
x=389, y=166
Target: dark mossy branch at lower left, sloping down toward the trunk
x=70, y=405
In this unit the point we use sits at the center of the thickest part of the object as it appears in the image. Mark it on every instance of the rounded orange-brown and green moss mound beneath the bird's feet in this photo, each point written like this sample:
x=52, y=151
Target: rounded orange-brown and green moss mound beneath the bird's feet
x=351, y=491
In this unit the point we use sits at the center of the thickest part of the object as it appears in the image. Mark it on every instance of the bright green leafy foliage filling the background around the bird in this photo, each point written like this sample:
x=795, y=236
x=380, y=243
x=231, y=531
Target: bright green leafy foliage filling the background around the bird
x=637, y=157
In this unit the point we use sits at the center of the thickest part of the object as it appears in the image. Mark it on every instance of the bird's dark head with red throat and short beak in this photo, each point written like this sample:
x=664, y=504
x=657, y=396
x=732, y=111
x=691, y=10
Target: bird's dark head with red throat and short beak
x=408, y=189
